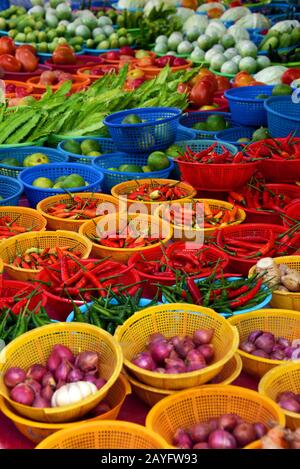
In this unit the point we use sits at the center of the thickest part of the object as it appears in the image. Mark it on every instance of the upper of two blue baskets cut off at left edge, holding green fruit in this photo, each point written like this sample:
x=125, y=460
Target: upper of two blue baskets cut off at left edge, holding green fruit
x=20, y=153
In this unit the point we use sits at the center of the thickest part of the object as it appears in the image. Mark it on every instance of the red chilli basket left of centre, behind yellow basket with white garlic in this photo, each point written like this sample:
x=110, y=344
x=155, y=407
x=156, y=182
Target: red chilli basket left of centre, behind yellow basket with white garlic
x=59, y=308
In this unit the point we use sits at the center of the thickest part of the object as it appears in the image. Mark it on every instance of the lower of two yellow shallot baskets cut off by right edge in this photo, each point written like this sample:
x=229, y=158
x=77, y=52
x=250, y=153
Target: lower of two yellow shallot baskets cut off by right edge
x=283, y=378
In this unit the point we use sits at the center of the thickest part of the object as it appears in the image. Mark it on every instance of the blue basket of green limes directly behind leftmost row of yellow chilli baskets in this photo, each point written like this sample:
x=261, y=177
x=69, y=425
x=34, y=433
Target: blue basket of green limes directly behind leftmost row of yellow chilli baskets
x=52, y=171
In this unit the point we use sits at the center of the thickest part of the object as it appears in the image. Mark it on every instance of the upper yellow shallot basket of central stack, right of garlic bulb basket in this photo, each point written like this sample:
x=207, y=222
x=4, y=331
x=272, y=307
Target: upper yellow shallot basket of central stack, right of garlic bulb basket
x=176, y=319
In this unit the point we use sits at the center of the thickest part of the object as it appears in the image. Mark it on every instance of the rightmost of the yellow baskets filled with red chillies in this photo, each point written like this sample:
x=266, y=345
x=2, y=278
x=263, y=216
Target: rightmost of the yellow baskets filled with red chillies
x=188, y=234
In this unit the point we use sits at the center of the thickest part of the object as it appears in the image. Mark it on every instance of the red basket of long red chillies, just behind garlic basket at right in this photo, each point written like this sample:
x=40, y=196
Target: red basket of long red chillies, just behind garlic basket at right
x=237, y=264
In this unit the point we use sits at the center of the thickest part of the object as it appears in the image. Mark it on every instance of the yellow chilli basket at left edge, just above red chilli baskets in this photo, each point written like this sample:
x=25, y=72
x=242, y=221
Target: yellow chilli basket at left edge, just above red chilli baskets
x=20, y=243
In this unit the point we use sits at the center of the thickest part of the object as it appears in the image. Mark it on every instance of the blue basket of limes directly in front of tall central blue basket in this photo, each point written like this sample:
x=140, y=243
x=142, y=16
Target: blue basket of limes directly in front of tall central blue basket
x=114, y=160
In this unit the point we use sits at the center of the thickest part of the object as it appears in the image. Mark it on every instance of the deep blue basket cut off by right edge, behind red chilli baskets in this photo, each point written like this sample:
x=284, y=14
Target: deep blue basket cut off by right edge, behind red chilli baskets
x=283, y=116
